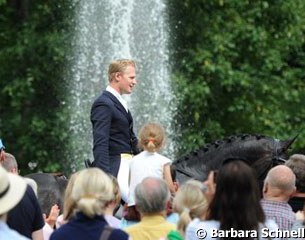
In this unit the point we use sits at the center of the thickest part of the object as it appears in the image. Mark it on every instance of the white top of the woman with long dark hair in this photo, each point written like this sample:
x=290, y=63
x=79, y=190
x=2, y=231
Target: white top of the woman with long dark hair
x=206, y=230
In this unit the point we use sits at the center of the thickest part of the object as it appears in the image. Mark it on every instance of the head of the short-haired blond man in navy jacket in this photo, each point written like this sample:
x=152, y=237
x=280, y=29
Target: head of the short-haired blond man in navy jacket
x=122, y=75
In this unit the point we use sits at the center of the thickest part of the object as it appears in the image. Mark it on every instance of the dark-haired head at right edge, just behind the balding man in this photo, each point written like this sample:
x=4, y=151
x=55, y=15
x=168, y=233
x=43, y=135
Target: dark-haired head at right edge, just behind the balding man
x=297, y=164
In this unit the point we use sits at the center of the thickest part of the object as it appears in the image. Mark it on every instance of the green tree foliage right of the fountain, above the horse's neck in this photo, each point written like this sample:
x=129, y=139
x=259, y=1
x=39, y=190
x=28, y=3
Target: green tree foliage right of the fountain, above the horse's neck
x=238, y=69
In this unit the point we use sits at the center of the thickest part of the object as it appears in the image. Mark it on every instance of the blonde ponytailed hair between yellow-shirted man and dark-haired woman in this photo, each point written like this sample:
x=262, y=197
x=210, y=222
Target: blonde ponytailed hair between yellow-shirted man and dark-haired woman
x=190, y=202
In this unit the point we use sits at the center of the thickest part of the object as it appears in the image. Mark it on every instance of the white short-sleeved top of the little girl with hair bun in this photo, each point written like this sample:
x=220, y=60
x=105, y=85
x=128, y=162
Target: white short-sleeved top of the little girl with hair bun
x=145, y=164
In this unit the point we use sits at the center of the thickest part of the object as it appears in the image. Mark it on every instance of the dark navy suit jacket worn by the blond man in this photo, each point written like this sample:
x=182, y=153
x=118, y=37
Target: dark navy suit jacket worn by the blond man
x=112, y=133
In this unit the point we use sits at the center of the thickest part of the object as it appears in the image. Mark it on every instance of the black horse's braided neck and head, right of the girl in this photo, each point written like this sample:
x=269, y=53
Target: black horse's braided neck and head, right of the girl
x=258, y=151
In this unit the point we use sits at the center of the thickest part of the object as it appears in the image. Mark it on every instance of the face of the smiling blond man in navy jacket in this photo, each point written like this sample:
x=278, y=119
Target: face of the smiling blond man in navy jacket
x=127, y=80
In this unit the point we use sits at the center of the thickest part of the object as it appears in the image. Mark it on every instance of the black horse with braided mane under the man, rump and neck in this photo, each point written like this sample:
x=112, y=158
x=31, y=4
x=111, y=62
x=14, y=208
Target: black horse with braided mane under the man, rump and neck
x=260, y=152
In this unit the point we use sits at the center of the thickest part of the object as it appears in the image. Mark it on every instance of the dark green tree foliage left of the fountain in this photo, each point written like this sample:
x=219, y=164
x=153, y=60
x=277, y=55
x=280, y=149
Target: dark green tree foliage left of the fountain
x=34, y=37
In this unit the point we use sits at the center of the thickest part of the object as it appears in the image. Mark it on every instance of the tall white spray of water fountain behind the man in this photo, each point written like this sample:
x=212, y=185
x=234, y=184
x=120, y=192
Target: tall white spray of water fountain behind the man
x=107, y=30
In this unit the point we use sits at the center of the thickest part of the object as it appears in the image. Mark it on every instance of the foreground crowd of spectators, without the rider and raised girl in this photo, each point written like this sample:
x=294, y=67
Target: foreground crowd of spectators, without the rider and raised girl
x=232, y=201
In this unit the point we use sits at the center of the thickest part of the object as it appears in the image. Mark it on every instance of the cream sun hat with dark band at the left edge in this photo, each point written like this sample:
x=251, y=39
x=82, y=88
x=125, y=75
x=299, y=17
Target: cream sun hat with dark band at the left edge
x=12, y=189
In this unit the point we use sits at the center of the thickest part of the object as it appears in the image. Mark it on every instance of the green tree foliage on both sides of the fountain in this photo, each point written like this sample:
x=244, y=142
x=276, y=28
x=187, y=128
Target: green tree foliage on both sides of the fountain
x=238, y=68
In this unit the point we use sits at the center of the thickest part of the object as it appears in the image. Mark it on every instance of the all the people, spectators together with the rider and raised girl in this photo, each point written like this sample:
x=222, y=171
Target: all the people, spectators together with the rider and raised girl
x=130, y=191
